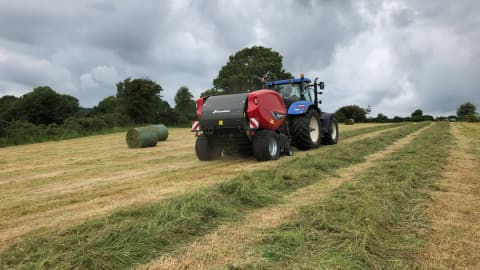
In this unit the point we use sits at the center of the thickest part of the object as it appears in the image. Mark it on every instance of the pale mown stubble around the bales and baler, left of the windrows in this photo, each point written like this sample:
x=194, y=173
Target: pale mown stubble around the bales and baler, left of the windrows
x=53, y=185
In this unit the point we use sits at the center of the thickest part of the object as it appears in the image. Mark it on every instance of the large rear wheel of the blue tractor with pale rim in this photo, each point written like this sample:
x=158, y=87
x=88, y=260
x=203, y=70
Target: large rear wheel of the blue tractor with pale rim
x=306, y=130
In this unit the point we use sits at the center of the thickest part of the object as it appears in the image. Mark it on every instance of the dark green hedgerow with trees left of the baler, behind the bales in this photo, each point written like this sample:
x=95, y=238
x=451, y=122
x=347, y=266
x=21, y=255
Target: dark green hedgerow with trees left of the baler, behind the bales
x=43, y=114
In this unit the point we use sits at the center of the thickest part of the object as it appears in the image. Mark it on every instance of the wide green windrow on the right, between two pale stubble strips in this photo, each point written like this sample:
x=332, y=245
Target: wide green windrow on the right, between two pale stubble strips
x=375, y=222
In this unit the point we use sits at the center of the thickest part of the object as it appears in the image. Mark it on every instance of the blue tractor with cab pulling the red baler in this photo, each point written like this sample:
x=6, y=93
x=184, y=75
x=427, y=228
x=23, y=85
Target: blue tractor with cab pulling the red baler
x=307, y=125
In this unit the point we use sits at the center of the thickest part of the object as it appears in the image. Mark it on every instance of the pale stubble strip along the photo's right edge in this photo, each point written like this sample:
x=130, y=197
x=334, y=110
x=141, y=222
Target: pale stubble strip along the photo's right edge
x=454, y=237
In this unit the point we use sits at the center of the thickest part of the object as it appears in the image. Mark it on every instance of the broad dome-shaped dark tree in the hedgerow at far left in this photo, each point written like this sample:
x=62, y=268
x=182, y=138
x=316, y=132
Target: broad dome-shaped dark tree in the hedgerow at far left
x=45, y=106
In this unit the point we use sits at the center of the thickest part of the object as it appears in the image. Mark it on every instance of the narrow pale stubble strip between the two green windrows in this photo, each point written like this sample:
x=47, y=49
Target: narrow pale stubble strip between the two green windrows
x=229, y=245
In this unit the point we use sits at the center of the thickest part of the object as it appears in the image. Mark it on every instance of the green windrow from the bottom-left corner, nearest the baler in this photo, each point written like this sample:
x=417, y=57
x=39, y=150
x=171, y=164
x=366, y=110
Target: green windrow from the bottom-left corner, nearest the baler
x=130, y=237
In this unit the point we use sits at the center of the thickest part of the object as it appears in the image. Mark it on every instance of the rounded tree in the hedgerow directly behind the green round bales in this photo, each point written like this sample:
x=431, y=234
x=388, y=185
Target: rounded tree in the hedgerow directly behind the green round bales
x=139, y=99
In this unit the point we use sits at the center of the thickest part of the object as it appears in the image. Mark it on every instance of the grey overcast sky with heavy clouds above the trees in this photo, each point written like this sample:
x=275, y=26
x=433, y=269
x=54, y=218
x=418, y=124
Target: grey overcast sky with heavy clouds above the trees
x=395, y=56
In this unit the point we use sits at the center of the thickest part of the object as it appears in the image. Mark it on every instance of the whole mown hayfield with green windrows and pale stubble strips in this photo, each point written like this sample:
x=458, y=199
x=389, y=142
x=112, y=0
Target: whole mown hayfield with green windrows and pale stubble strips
x=364, y=203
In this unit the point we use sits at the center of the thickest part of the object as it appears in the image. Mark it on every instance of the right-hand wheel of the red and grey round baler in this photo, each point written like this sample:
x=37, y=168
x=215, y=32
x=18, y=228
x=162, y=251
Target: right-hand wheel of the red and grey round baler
x=266, y=145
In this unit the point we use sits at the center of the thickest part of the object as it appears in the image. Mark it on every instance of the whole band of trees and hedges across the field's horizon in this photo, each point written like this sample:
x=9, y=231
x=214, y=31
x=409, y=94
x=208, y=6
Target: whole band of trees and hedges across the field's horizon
x=43, y=114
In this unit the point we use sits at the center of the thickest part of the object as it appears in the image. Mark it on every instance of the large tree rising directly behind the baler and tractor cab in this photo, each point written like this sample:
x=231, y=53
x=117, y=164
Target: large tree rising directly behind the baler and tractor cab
x=244, y=69
